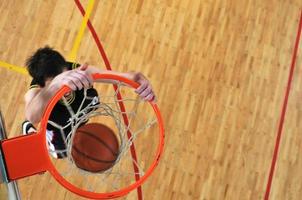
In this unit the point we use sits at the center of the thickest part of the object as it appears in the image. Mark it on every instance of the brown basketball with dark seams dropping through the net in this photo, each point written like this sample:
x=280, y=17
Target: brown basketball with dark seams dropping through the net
x=95, y=147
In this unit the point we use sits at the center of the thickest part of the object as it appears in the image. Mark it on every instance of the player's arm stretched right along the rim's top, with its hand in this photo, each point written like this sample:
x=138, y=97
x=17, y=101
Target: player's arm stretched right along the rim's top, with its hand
x=144, y=90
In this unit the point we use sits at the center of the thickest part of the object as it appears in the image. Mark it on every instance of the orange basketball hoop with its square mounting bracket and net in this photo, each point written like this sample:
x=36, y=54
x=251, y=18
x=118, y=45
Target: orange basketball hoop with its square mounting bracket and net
x=138, y=126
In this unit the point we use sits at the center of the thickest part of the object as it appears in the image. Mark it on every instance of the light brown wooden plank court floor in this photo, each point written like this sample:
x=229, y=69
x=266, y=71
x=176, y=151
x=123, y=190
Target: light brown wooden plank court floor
x=220, y=70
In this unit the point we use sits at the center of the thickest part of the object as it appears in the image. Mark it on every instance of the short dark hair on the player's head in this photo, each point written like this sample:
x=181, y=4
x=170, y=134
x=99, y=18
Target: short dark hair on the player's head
x=45, y=63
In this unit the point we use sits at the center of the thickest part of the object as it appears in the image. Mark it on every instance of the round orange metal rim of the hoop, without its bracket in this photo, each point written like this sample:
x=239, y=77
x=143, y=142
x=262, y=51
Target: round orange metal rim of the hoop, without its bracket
x=118, y=193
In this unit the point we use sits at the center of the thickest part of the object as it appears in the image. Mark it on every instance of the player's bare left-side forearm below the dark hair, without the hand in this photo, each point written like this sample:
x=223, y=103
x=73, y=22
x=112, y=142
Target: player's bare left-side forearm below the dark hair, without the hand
x=35, y=108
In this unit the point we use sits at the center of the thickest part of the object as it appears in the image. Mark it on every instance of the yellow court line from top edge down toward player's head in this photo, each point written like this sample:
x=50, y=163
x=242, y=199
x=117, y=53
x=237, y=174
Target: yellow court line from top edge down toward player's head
x=76, y=44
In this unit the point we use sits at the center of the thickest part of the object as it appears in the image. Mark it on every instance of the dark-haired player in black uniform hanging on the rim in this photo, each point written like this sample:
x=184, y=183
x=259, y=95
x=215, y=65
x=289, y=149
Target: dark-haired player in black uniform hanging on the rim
x=50, y=72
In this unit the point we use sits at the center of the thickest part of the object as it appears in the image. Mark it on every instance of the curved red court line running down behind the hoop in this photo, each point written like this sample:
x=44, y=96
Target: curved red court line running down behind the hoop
x=125, y=118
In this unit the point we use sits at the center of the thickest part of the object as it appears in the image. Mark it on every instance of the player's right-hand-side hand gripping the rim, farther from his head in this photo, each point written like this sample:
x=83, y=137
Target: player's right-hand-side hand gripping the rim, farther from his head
x=145, y=90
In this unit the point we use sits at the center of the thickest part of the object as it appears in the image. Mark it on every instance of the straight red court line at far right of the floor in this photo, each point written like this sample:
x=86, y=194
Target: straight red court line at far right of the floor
x=284, y=108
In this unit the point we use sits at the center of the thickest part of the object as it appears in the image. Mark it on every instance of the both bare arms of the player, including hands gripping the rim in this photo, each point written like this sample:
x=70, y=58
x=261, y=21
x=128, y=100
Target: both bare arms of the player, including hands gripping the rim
x=37, y=99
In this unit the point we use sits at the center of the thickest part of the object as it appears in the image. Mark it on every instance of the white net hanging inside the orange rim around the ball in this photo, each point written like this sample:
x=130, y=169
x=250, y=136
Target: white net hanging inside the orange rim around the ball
x=135, y=126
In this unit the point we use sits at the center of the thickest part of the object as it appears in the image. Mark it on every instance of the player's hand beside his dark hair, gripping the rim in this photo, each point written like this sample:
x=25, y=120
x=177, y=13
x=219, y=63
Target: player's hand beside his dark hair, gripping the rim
x=75, y=79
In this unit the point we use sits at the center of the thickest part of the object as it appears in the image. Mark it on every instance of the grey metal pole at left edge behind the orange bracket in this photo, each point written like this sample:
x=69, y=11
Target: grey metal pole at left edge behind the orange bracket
x=12, y=186
